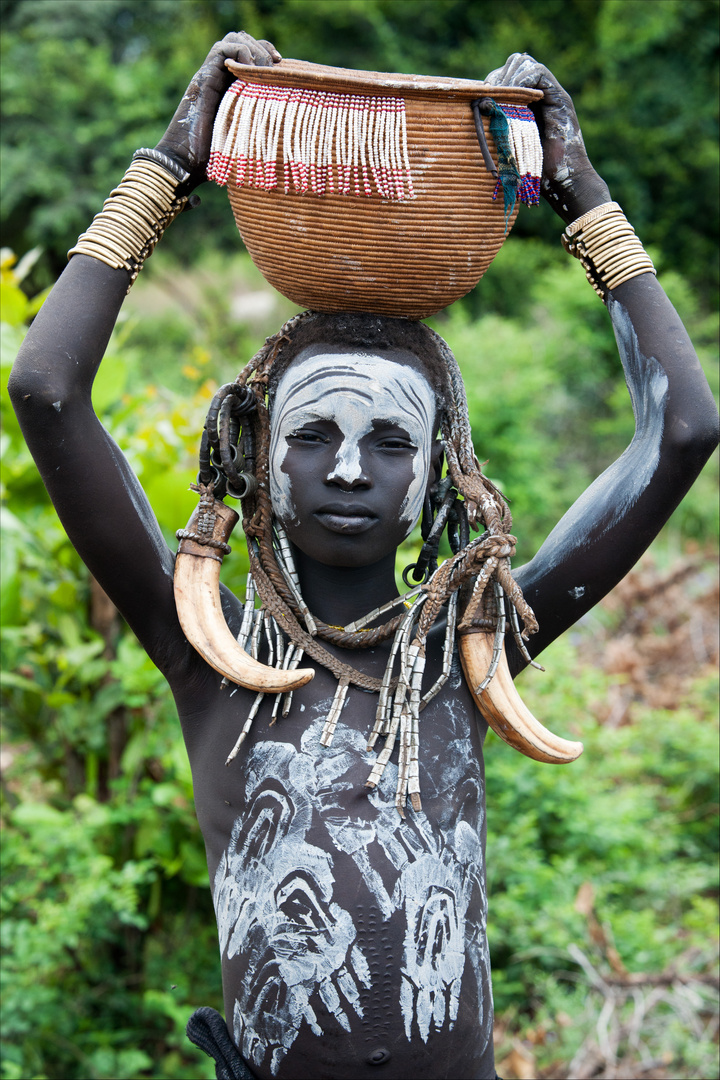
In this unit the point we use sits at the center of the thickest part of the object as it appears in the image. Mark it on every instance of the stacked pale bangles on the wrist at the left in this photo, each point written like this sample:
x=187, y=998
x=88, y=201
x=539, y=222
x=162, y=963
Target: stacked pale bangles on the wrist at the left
x=151, y=196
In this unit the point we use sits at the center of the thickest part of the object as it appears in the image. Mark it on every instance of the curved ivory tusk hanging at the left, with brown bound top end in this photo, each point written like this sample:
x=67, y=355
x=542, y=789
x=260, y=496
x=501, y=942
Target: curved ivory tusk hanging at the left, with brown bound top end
x=198, y=602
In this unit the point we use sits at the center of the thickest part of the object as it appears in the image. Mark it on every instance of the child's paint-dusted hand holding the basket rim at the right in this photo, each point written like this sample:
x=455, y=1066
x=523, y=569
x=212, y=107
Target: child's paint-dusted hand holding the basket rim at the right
x=570, y=184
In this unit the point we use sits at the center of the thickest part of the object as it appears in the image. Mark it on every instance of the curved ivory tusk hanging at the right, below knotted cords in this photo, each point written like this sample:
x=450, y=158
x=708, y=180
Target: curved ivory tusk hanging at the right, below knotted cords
x=504, y=708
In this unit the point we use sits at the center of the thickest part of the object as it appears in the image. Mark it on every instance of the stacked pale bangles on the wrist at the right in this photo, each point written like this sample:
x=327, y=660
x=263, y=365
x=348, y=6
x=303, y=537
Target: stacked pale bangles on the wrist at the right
x=607, y=247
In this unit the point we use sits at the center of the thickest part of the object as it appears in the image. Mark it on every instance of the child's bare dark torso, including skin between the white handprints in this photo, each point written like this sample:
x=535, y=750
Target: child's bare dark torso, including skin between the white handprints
x=333, y=912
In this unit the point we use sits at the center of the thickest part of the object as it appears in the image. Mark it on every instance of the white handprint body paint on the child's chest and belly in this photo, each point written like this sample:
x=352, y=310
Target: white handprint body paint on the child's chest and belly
x=275, y=894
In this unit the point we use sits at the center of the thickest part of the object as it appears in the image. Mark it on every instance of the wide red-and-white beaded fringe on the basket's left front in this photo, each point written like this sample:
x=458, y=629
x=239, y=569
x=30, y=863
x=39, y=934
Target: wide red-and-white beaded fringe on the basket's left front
x=346, y=144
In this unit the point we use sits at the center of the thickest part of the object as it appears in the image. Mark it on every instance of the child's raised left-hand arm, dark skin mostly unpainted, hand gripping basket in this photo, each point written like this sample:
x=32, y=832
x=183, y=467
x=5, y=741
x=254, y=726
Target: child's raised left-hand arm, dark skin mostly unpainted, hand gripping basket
x=96, y=493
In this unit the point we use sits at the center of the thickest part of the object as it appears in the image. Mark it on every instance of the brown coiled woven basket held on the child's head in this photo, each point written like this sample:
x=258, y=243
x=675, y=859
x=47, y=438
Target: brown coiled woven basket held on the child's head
x=405, y=259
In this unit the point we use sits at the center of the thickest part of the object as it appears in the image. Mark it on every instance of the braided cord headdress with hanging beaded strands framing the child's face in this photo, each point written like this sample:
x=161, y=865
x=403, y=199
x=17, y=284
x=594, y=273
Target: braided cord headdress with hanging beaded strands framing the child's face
x=238, y=434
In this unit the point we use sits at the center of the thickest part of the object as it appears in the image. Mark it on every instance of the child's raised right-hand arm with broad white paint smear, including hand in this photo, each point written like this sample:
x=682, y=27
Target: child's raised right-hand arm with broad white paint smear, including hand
x=614, y=522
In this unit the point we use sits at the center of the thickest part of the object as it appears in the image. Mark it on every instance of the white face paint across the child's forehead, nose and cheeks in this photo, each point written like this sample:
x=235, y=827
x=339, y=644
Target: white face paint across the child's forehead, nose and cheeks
x=355, y=391
